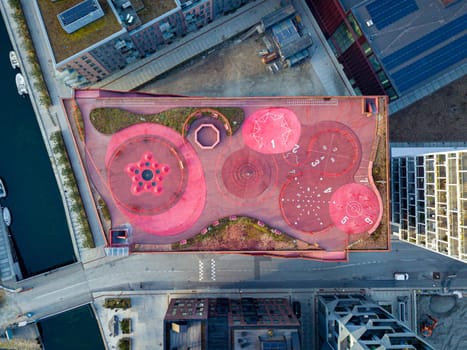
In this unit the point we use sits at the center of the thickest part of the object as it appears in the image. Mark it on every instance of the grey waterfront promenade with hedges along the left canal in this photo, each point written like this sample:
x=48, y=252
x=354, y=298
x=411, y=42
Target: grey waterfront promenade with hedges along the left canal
x=52, y=119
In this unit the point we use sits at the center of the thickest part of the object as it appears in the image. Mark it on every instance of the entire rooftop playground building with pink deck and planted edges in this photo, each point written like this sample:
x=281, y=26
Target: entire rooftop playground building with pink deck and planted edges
x=284, y=176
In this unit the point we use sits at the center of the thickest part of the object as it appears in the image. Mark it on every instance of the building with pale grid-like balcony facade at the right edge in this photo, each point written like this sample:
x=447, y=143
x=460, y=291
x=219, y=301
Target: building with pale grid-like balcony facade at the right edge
x=429, y=201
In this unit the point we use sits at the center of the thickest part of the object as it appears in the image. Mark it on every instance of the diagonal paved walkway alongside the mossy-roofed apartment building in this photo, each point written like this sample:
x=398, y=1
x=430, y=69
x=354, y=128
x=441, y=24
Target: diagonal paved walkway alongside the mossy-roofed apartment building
x=192, y=45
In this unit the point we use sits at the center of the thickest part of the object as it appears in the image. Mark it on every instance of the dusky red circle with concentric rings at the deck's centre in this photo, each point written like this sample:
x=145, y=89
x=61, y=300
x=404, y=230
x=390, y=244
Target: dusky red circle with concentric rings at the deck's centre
x=246, y=174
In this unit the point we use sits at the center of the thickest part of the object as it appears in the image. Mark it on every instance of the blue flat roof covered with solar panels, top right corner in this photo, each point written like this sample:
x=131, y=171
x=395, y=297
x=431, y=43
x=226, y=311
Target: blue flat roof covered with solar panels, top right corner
x=416, y=41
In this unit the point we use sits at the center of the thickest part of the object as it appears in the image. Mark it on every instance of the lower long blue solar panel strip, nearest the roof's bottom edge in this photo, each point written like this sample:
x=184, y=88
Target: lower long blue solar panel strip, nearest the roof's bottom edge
x=429, y=65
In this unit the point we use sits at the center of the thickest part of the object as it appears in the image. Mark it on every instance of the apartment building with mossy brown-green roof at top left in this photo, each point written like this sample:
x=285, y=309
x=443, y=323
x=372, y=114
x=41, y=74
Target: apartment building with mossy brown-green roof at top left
x=91, y=39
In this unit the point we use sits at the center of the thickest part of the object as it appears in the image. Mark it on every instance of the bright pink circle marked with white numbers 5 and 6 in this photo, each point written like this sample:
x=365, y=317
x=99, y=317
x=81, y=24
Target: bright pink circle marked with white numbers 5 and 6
x=354, y=208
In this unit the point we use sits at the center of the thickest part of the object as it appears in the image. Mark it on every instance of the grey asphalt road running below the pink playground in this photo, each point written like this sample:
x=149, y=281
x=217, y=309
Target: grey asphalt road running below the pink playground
x=73, y=285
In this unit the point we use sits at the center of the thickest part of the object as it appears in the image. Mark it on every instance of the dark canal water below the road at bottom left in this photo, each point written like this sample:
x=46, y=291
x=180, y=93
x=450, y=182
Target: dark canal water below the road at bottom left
x=73, y=330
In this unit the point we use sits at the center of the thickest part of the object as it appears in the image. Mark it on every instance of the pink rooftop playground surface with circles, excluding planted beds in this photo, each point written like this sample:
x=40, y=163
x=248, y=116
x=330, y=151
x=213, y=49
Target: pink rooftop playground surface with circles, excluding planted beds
x=302, y=165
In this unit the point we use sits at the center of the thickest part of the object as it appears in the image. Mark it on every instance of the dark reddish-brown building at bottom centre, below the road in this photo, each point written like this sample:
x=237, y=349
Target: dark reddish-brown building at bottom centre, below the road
x=222, y=323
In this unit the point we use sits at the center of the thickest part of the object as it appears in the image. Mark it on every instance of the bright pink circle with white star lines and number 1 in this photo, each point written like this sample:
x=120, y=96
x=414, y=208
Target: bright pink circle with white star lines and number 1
x=271, y=130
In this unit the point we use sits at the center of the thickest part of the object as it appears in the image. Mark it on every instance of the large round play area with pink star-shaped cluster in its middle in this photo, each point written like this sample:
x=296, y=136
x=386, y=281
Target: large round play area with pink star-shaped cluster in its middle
x=146, y=175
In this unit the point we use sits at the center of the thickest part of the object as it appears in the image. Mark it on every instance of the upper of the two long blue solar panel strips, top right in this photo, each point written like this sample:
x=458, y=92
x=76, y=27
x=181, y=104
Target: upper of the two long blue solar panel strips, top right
x=425, y=43
